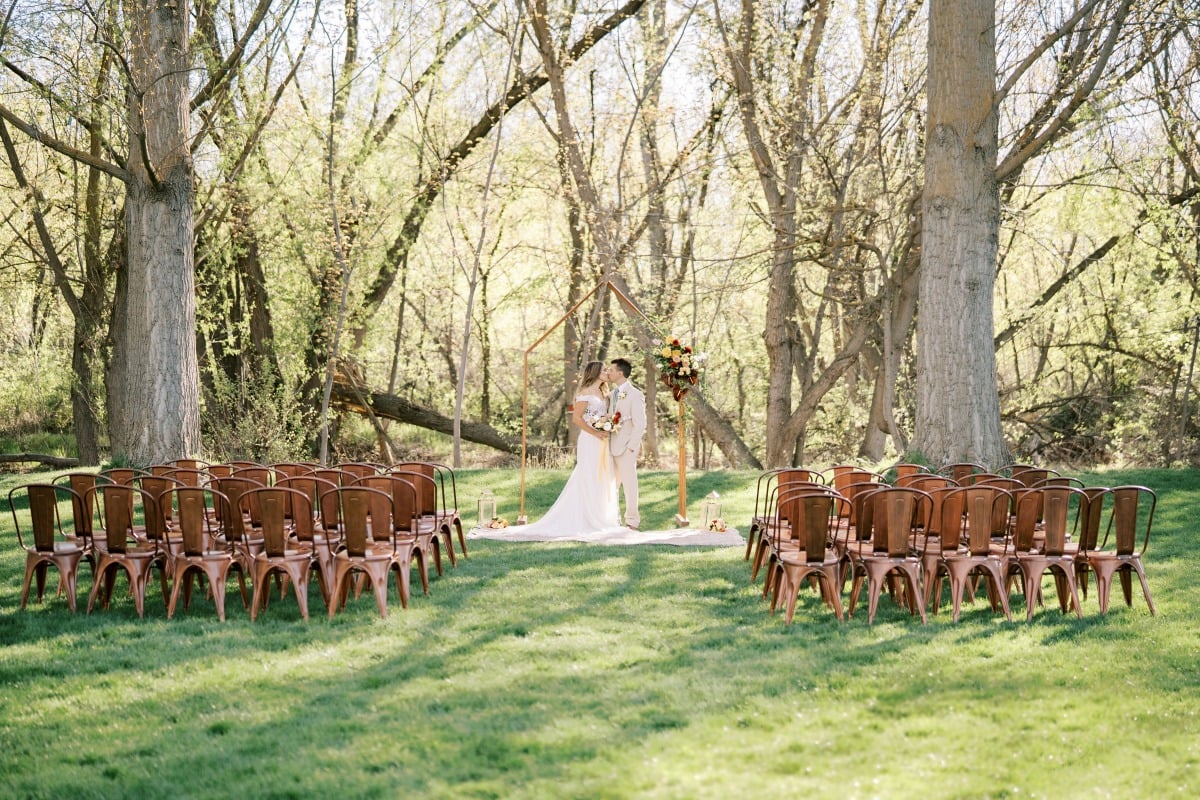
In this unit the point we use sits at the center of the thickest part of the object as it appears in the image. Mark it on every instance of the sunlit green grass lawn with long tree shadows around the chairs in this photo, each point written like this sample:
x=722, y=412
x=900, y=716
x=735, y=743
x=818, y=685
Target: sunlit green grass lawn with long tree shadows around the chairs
x=574, y=671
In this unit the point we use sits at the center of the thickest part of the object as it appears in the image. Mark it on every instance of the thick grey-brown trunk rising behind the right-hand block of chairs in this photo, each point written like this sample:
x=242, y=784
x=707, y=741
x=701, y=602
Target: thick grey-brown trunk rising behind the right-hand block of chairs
x=958, y=407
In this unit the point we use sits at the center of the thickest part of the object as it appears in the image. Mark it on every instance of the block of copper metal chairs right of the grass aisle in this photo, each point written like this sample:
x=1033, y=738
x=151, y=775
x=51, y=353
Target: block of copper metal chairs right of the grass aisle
x=915, y=534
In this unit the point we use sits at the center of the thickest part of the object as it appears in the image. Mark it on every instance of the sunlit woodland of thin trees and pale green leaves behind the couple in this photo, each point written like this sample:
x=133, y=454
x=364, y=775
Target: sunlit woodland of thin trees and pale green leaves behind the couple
x=393, y=201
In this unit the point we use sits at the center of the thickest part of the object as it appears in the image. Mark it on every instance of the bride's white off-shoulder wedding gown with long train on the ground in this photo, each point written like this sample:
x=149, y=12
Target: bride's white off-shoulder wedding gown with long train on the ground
x=587, y=507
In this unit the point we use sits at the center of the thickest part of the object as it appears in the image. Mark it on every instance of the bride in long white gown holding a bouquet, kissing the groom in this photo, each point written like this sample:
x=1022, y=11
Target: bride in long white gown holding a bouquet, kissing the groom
x=587, y=506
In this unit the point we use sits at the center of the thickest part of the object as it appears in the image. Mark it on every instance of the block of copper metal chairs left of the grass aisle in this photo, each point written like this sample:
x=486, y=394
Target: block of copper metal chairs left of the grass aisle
x=349, y=527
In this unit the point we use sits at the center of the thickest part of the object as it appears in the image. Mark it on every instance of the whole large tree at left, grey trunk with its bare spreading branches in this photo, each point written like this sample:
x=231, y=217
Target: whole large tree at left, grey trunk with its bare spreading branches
x=153, y=378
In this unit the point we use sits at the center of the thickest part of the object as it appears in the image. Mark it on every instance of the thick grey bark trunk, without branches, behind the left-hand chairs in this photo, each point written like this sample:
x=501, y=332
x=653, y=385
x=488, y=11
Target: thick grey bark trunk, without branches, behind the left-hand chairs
x=155, y=380
